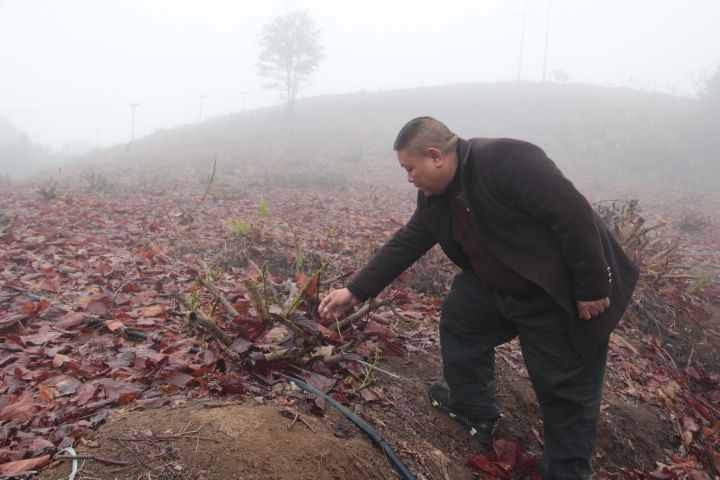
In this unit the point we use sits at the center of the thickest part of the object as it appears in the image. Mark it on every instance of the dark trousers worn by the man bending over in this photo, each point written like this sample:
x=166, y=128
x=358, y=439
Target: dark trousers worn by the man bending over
x=568, y=385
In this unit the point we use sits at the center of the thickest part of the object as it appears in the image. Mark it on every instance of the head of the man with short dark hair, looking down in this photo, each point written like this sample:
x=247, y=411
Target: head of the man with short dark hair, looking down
x=426, y=150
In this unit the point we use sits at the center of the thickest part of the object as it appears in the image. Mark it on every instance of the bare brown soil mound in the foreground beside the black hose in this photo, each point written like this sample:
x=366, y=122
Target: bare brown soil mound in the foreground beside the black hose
x=229, y=442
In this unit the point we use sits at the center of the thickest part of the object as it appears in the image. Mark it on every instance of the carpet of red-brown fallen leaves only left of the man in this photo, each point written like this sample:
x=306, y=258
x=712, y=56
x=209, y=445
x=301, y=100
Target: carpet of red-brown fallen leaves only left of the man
x=89, y=321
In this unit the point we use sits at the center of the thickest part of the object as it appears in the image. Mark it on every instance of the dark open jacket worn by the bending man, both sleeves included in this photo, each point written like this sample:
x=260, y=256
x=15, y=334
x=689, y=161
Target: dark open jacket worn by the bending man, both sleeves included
x=533, y=219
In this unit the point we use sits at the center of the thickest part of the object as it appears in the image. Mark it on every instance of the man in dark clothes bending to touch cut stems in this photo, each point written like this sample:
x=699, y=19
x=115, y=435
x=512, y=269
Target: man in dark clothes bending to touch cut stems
x=537, y=263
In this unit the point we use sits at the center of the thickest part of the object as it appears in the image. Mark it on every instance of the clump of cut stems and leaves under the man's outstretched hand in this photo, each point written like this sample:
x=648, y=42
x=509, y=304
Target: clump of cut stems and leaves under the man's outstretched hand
x=287, y=326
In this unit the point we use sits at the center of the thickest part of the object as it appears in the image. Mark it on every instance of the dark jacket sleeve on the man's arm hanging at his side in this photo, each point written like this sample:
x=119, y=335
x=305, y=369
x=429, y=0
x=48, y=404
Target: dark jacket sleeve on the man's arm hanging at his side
x=532, y=182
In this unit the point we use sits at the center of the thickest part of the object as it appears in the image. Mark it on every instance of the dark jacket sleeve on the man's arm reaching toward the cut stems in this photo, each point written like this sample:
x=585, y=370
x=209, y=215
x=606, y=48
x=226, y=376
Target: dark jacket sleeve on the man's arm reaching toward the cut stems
x=407, y=245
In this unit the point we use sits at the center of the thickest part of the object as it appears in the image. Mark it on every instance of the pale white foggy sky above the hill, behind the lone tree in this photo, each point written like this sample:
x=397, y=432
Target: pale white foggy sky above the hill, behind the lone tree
x=69, y=68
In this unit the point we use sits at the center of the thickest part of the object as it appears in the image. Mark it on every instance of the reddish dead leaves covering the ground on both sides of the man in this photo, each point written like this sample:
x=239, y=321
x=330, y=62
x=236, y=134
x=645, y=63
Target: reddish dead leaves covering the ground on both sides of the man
x=89, y=319
